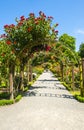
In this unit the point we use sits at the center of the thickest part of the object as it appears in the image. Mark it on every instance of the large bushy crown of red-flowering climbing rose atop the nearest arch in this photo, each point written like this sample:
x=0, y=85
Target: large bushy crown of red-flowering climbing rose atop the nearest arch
x=29, y=32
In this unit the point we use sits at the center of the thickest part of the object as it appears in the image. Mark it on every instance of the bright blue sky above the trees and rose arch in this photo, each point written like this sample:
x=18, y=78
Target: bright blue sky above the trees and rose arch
x=69, y=14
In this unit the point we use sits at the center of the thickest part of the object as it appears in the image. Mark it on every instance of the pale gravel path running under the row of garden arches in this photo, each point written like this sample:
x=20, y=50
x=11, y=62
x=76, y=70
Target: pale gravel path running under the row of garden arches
x=47, y=106
